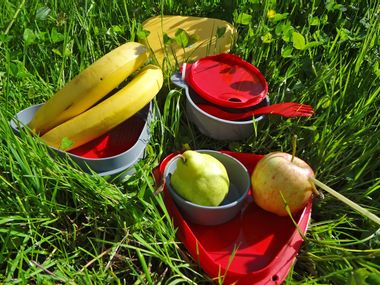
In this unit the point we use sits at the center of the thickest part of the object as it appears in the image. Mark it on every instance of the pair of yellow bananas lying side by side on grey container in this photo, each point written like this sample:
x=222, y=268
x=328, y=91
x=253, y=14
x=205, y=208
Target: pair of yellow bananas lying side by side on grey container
x=81, y=110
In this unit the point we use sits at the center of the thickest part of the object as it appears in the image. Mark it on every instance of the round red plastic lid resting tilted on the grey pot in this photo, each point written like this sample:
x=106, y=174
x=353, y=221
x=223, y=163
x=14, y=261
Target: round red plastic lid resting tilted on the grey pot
x=226, y=80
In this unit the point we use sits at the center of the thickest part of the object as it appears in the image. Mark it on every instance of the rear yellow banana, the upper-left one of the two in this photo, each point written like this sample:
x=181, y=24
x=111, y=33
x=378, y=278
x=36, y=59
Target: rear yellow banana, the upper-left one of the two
x=89, y=86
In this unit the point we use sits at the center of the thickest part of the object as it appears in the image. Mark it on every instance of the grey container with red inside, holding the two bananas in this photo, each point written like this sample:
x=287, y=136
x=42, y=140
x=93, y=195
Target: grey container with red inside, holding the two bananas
x=112, y=154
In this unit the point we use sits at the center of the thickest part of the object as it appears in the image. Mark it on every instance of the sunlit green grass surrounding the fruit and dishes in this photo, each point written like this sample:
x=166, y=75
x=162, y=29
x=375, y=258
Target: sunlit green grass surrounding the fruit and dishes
x=59, y=225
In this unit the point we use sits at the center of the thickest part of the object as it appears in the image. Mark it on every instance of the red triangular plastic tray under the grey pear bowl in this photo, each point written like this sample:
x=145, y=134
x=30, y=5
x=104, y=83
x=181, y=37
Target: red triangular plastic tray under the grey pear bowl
x=256, y=247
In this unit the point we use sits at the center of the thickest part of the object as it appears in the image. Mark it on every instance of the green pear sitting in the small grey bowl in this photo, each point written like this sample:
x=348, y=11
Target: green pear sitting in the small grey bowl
x=200, y=178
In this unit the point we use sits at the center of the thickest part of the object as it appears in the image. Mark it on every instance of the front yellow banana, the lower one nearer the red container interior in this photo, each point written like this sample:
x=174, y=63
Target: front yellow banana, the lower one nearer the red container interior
x=108, y=113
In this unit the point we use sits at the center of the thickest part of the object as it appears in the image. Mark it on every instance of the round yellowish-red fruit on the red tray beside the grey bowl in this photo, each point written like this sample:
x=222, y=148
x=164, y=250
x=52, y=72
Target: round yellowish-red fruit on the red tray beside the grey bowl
x=278, y=180
